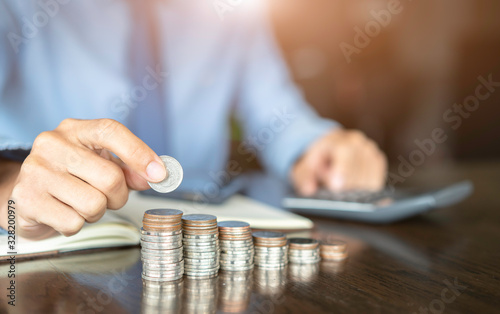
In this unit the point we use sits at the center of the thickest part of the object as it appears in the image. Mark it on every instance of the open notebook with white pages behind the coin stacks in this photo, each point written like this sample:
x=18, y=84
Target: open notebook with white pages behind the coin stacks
x=121, y=228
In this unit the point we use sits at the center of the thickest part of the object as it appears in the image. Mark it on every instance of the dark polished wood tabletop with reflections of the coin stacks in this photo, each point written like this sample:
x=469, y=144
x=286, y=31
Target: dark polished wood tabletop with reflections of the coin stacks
x=446, y=261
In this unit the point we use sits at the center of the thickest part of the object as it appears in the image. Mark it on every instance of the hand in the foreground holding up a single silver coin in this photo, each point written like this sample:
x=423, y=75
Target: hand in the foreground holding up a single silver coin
x=71, y=177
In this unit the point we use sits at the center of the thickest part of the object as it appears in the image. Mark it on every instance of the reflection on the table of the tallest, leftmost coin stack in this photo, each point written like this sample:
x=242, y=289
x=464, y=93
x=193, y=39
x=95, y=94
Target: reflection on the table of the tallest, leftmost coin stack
x=161, y=297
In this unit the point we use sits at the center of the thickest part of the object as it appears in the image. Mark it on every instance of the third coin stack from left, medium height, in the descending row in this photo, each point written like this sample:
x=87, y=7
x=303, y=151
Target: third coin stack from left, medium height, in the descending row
x=236, y=244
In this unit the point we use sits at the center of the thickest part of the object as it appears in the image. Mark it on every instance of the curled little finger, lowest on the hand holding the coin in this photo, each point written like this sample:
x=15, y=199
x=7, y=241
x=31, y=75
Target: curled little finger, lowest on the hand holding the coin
x=59, y=216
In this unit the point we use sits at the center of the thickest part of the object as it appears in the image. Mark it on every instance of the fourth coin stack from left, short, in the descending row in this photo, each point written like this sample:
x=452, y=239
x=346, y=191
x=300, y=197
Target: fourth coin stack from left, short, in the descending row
x=271, y=249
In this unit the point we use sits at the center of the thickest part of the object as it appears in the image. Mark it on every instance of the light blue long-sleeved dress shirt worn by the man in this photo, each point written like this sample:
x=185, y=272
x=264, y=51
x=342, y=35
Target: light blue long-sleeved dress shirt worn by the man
x=71, y=59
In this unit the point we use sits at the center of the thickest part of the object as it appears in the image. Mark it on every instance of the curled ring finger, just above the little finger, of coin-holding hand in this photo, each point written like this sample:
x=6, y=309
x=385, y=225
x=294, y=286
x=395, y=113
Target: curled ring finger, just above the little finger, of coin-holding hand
x=89, y=202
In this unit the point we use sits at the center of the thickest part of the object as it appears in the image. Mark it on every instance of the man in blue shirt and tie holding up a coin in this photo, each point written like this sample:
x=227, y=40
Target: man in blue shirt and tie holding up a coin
x=91, y=92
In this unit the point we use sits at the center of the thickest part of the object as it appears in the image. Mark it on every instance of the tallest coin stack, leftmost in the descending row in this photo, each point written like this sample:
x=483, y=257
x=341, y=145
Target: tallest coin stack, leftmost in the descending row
x=161, y=242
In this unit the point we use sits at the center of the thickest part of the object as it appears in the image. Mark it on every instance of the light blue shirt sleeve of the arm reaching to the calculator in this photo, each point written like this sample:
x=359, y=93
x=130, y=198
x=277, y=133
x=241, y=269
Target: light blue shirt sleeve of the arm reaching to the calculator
x=278, y=123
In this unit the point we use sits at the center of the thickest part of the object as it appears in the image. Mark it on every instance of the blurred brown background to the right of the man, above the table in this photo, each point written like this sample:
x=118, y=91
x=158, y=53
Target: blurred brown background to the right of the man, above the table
x=397, y=88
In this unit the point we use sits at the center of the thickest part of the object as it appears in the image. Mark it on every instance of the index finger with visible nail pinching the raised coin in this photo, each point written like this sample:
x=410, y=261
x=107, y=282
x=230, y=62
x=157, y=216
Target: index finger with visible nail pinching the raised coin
x=112, y=135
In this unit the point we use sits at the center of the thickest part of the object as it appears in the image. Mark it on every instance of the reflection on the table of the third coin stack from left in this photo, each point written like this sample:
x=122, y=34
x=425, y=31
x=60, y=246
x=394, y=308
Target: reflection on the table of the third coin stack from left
x=235, y=287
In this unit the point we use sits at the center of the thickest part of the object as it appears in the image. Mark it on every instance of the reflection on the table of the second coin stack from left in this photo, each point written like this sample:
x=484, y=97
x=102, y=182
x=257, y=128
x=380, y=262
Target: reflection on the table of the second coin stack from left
x=200, y=295
